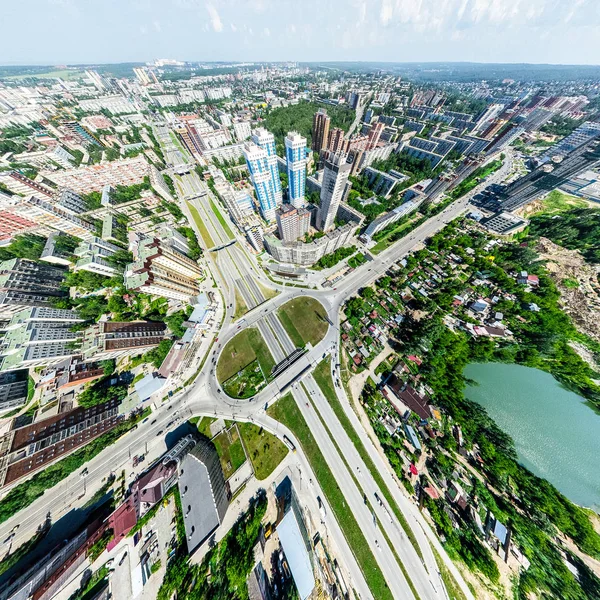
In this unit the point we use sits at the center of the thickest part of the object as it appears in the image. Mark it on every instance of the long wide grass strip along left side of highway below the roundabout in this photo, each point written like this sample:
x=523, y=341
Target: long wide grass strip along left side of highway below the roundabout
x=286, y=411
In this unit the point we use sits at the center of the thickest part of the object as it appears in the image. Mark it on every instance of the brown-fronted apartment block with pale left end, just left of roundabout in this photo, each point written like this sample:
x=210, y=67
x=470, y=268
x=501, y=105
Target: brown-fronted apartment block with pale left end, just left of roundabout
x=114, y=339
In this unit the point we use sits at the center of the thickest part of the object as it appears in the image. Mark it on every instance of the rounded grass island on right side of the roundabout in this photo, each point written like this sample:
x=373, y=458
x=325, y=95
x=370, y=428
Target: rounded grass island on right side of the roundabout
x=304, y=320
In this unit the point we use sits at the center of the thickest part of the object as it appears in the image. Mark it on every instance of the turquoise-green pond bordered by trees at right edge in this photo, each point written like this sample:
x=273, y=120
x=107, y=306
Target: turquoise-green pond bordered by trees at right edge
x=556, y=434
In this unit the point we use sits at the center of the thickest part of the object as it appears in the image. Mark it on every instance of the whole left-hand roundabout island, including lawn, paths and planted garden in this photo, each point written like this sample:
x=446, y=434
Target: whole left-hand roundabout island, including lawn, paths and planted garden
x=245, y=364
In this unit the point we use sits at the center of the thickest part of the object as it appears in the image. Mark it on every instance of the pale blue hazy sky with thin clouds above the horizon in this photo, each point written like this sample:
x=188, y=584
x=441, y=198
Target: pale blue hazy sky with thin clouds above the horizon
x=104, y=31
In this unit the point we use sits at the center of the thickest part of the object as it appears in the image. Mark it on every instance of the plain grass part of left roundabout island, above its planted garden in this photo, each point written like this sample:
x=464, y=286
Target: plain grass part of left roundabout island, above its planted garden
x=245, y=347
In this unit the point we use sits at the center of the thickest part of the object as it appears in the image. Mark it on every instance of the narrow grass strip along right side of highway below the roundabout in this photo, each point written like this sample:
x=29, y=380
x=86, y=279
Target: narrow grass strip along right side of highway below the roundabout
x=322, y=375
